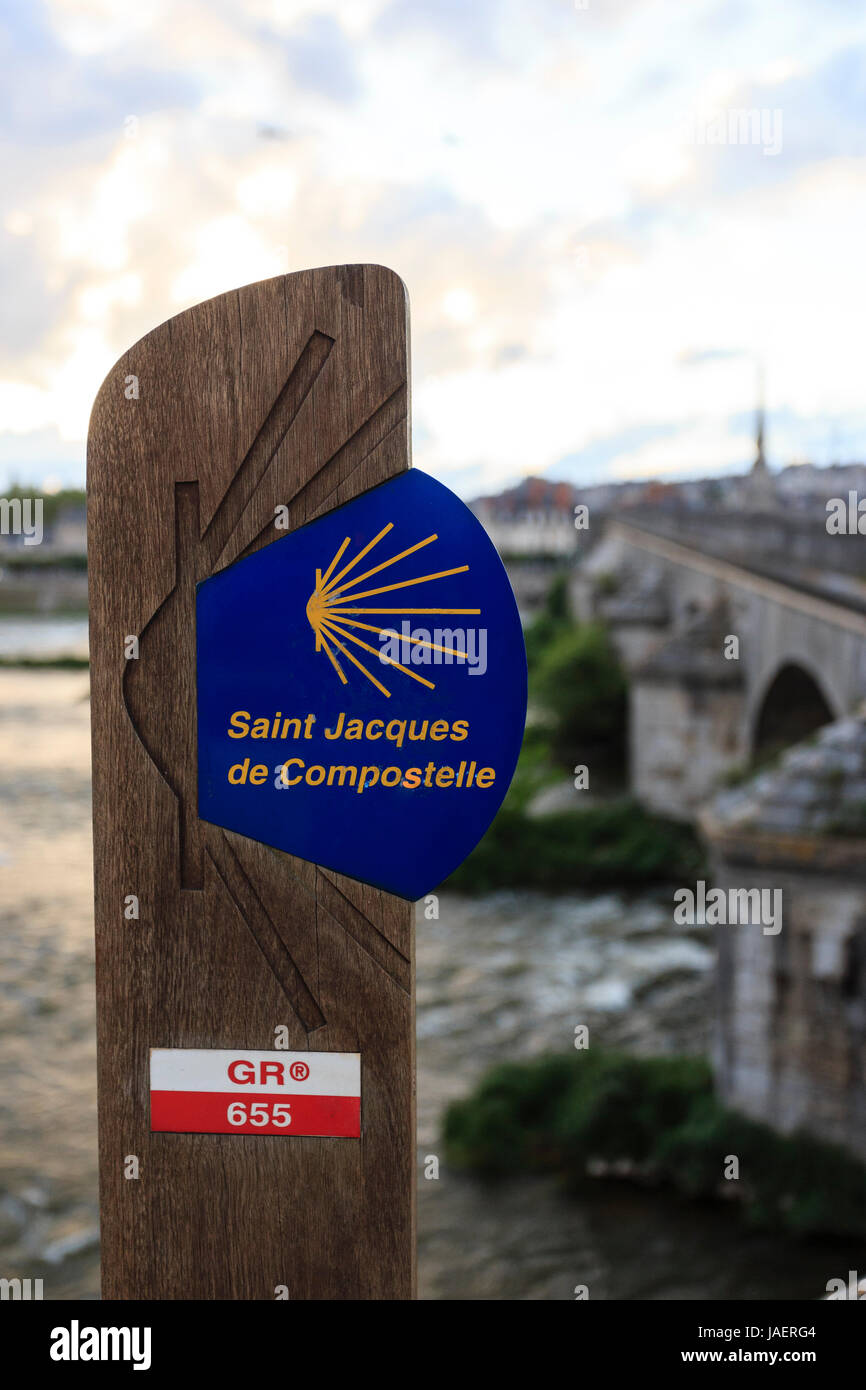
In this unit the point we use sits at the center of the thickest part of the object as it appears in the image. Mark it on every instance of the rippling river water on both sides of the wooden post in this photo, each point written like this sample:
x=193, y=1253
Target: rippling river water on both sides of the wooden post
x=500, y=978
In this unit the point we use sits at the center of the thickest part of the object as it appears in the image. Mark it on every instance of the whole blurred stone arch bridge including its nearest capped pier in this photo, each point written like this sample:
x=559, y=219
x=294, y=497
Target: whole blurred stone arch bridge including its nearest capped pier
x=743, y=635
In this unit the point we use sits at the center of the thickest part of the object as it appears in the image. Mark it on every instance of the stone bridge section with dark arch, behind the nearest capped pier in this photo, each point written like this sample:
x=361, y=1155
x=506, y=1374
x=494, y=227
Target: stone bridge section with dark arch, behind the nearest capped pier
x=740, y=640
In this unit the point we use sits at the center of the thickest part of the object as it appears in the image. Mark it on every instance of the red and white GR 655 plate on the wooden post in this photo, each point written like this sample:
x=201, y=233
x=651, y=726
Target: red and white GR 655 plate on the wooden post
x=237, y=1092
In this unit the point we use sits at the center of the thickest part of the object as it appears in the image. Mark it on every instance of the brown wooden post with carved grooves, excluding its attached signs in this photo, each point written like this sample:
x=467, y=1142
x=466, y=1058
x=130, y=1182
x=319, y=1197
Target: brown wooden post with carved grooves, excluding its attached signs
x=287, y=394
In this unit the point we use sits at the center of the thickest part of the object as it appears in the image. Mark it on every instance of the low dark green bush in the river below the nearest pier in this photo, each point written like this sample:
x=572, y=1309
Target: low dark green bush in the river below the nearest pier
x=657, y=1120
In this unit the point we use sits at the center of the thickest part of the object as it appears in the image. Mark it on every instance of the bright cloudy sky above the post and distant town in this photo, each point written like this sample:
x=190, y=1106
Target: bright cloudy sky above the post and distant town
x=608, y=215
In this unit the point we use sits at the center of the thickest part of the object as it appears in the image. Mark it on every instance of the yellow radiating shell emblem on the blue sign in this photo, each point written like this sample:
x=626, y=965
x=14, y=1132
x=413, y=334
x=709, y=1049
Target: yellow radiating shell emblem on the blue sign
x=334, y=600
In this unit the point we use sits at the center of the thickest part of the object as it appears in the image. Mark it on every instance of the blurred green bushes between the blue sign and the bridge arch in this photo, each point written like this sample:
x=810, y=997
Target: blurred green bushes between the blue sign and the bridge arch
x=579, y=715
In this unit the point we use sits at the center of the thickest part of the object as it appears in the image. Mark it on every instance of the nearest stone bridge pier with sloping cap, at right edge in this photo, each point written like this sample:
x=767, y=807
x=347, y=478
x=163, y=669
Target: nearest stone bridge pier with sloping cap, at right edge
x=790, y=1035
